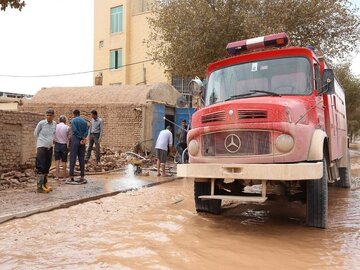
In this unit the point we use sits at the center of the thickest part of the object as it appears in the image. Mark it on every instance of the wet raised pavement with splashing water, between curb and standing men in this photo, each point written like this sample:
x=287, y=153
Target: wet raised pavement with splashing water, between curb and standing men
x=25, y=202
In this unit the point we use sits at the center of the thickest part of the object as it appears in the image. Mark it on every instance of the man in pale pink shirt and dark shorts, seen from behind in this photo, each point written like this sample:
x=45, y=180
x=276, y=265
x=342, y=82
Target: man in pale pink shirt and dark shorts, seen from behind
x=62, y=137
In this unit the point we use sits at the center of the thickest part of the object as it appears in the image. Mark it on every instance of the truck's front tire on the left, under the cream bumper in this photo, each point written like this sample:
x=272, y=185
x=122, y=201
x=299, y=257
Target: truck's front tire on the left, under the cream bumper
x=210, y=206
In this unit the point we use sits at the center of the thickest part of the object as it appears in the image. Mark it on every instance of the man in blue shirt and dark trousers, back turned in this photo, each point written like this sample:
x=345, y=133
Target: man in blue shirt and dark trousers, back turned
x=79, y=129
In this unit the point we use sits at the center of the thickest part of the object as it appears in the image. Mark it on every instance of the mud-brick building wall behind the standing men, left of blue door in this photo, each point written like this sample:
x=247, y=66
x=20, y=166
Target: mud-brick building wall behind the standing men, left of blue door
x=123, y=125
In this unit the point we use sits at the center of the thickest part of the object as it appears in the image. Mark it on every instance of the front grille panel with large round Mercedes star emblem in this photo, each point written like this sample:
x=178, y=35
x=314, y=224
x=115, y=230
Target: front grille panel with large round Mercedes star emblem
x=237, y=143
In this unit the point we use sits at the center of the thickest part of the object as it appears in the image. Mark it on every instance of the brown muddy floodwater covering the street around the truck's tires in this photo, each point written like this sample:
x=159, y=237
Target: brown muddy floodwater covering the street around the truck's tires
x=158, y=228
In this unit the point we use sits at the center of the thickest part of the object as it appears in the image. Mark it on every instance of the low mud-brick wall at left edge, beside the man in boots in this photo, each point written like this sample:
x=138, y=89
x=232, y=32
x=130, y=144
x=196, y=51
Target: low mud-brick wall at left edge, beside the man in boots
x=17, y=142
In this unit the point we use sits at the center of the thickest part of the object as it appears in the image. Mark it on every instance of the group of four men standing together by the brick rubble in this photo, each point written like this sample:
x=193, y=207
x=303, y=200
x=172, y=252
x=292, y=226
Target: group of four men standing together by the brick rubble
x=58, y=139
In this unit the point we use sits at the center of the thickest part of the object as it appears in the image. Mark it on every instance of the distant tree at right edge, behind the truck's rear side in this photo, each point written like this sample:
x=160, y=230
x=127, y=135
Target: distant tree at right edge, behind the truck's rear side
x=351, y=86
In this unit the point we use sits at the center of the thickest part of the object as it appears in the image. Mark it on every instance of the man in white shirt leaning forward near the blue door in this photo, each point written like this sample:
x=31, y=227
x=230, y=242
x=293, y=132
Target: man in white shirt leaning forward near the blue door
x=163, y=141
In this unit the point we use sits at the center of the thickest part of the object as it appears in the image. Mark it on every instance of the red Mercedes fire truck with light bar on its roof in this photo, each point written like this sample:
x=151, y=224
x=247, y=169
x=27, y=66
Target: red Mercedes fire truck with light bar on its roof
x=274, y=115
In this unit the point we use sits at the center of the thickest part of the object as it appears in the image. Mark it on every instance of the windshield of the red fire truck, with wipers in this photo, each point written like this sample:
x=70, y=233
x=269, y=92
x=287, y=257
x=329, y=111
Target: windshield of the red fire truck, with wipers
x=275, y=77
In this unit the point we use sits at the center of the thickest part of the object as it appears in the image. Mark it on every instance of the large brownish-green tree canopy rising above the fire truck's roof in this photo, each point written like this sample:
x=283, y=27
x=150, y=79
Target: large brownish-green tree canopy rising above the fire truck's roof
x=189, y=34
